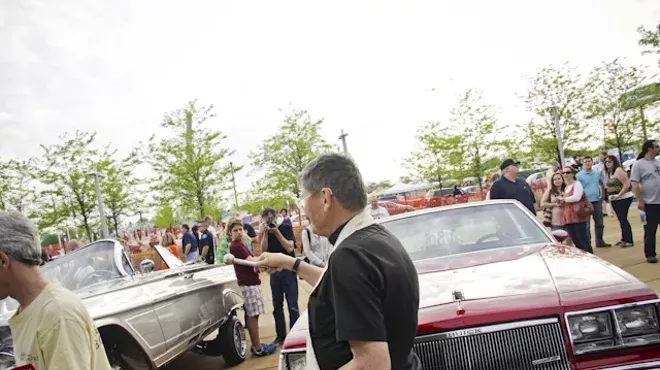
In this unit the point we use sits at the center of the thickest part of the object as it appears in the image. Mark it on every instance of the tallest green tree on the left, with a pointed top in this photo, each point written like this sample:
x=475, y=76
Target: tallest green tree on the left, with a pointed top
x=190, y=164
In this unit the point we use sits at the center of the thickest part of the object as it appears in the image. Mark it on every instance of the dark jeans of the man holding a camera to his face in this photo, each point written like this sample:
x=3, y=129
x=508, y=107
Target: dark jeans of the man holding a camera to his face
x=284, y=283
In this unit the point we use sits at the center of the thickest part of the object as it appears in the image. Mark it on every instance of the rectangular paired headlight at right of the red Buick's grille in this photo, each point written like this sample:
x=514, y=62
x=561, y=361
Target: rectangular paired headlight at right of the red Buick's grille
x=615, y=327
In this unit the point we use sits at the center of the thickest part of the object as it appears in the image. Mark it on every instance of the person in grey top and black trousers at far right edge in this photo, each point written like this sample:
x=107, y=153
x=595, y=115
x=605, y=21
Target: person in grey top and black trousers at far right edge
x=645, y=178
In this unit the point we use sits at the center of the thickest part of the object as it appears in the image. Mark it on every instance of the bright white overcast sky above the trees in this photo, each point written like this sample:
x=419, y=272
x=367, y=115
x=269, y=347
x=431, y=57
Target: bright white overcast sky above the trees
x=367, y=67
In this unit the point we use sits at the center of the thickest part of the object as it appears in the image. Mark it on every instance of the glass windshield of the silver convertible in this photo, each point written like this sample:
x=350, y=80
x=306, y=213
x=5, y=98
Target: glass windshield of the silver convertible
x=86, y=266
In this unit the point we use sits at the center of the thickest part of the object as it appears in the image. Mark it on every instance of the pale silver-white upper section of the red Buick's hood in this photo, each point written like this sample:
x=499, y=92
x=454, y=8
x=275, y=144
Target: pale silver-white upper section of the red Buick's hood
x=515, y=271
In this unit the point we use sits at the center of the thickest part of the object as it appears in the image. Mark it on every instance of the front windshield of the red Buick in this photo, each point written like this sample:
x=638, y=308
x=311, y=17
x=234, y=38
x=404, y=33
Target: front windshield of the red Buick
x=467, y=229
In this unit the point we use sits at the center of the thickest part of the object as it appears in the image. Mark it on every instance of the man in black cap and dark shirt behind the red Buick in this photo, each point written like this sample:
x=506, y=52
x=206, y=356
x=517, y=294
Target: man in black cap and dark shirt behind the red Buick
x=511, y=186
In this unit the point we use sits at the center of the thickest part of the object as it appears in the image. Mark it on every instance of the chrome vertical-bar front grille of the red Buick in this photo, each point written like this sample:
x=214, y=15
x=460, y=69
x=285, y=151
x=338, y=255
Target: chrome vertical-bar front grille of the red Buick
x=534, y=344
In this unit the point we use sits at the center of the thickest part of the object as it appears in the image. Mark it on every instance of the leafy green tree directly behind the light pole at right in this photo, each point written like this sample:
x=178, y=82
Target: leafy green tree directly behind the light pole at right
x=561, y=88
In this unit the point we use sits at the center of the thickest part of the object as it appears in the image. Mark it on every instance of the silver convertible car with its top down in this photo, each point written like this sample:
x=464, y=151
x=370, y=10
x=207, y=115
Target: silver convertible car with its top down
x=147, y=318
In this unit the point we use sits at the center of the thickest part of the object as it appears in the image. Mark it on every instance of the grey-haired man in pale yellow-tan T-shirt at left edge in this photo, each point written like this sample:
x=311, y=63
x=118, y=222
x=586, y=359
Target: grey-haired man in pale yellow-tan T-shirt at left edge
x=51, y=329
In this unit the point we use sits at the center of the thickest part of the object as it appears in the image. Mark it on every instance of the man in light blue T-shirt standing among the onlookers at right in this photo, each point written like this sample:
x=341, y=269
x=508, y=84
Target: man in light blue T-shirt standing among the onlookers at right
x=594, y=187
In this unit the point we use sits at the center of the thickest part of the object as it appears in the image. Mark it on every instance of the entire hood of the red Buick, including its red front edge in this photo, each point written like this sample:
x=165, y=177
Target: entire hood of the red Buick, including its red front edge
x=511, y=284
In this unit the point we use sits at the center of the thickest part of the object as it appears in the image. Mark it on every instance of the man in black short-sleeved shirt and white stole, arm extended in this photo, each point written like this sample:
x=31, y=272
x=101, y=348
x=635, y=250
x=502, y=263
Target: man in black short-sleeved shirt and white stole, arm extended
x=362, y=312
